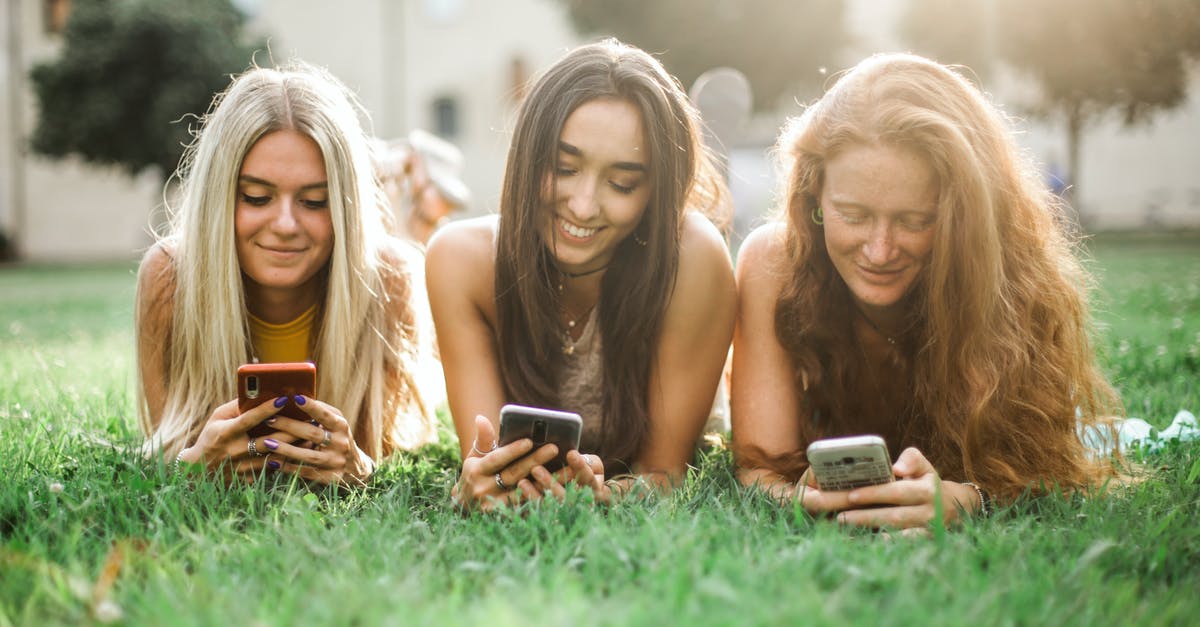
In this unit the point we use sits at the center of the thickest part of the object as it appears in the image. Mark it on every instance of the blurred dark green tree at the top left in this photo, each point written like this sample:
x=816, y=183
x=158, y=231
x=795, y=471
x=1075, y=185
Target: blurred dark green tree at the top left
x=129, y=74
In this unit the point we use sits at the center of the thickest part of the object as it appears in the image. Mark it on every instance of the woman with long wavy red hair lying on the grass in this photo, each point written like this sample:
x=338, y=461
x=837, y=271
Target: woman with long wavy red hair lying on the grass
x=919, y=286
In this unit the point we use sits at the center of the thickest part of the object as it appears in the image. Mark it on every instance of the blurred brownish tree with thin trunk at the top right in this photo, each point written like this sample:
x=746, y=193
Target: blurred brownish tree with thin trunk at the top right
x=1089, y=57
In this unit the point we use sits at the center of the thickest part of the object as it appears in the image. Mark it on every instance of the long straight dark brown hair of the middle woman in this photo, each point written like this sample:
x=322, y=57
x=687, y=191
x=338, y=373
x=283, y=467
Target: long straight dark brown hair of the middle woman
x=639, y=283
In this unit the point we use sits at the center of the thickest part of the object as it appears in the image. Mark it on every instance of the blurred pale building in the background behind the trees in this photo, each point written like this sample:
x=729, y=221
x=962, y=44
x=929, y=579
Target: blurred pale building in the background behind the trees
x=458, y=69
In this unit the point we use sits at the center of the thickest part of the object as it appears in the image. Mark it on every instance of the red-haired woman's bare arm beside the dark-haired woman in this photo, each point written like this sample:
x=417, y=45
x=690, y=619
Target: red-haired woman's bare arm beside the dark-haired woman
x=763, y=397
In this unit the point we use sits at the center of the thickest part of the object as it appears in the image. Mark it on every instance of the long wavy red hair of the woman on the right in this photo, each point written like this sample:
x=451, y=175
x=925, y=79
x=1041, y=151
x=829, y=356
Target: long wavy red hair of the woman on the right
x=997, y=349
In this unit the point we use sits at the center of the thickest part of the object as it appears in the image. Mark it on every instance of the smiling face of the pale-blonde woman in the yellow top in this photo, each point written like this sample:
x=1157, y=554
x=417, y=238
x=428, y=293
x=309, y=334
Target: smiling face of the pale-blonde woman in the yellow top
x=281, y=218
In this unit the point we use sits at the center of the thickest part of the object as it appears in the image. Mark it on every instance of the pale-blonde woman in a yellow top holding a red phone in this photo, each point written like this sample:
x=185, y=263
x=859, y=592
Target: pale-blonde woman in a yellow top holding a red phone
x=278, y=252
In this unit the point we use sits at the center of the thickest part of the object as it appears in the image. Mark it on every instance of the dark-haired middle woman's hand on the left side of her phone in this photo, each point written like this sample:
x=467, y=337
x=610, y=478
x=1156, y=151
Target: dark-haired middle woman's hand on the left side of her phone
x=478, y=486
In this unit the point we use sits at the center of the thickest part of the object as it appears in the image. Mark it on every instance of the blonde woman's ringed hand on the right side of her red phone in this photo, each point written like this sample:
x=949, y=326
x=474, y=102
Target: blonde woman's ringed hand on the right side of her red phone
x=333, y=456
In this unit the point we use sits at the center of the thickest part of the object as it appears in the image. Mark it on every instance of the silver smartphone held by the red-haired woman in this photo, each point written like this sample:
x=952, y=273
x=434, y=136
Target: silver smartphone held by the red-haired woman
x=849, y=463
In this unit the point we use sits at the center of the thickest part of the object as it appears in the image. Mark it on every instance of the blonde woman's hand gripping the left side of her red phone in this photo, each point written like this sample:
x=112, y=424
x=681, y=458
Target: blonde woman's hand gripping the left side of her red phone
x=224, y=441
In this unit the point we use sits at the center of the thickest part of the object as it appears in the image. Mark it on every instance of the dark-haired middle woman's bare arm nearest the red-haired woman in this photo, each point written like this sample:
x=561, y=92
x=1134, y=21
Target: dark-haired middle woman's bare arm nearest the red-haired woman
x=692, y=353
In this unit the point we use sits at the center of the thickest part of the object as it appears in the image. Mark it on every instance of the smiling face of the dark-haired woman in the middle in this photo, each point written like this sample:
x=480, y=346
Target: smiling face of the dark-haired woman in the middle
x=601, y=188
